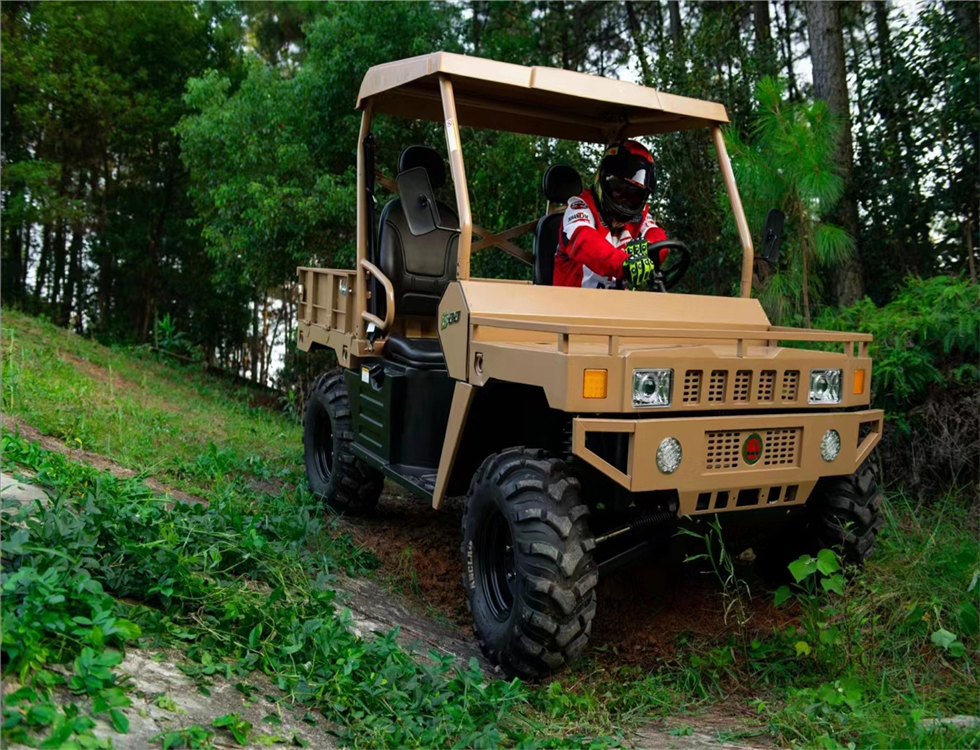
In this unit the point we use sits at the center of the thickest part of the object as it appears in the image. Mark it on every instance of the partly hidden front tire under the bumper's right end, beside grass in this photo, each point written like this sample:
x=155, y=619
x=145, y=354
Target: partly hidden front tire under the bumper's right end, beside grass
x=845, y=514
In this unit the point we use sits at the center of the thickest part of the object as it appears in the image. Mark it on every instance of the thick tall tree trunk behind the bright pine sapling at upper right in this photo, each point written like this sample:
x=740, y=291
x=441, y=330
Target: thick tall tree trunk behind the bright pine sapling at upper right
x=830, y=84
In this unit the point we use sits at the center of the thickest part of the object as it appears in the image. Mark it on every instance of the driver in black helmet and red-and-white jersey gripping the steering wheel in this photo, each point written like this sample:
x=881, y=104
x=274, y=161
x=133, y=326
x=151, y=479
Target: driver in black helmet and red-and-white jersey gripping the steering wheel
x=607, y=229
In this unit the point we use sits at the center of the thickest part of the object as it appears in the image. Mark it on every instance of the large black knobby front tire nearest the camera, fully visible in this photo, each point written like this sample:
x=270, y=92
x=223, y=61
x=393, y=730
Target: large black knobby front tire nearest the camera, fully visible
x=527, y=563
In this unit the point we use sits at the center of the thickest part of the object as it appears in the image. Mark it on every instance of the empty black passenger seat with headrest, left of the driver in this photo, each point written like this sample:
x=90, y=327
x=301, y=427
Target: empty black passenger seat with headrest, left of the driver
x=419, y=267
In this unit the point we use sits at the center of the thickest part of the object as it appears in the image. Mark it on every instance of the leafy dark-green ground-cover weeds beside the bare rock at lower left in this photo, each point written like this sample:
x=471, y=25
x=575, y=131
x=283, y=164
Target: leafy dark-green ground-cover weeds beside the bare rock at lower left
x=192, y=562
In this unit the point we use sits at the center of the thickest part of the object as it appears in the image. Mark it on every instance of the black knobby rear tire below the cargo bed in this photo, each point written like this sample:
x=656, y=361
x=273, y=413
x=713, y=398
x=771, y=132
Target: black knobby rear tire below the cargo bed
x=336, y=476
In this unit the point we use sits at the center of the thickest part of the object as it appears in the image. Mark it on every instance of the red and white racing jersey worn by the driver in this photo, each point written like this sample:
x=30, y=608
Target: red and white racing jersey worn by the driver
x=589, y=252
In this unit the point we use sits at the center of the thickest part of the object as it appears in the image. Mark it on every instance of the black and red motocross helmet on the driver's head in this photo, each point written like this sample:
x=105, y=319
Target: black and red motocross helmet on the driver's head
x=625, y=179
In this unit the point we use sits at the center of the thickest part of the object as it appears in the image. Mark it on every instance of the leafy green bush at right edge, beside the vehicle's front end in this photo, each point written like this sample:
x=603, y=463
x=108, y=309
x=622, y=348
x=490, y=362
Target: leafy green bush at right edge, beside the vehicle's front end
x=925, y=376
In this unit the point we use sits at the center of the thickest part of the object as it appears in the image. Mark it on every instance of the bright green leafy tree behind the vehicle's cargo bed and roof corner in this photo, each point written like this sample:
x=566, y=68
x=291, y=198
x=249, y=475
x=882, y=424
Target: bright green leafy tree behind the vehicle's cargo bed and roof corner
x=273, y=159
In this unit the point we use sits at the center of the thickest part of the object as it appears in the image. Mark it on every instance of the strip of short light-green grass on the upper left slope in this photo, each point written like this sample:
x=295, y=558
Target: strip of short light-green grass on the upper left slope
x=174, y=423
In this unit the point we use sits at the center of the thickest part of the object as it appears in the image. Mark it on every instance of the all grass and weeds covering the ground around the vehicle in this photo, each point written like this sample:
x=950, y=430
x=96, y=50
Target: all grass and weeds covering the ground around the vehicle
x=245, y=583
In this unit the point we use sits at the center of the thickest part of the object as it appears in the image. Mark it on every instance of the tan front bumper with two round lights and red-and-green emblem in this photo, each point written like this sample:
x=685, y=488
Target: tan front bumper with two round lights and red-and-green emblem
x=715, y=474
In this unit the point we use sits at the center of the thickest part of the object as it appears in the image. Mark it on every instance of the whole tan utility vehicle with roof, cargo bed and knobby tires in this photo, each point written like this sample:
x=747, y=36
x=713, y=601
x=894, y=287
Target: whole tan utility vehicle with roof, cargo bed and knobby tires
x=582, y=424
